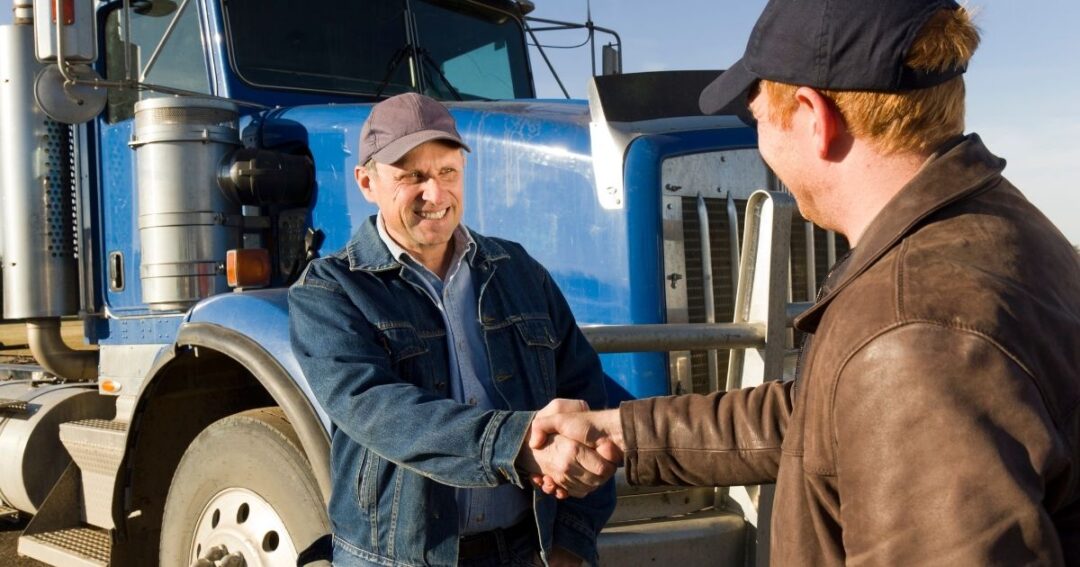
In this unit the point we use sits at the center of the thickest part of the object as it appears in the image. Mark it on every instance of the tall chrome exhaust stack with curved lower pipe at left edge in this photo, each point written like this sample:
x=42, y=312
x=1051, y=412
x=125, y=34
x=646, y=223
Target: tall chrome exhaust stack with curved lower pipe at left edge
x=37, y=187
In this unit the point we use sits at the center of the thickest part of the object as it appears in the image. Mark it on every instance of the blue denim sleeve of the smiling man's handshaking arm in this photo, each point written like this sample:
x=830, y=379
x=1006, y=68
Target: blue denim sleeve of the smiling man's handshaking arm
x=356, y=382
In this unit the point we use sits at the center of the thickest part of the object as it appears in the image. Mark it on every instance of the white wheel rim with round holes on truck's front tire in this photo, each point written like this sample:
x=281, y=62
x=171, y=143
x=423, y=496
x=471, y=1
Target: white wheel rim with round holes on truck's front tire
x=246, y=524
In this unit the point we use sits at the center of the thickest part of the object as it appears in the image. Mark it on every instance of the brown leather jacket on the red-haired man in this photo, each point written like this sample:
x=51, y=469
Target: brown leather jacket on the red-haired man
x=935, y=420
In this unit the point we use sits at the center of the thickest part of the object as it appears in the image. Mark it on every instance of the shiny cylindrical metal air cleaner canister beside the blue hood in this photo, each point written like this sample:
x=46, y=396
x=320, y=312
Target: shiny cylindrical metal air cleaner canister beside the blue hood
x=186, y=222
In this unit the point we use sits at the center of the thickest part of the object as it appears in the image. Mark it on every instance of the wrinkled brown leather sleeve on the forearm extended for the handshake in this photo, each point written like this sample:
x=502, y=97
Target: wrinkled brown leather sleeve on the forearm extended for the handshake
x=723, y=439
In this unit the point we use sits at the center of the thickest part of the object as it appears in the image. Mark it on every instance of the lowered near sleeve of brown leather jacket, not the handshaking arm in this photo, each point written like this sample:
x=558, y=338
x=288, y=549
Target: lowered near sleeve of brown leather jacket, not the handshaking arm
x=944, y=450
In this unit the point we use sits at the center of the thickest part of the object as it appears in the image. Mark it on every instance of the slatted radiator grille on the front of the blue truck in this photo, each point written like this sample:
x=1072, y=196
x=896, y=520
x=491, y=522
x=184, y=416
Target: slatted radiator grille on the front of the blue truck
x=710, y=182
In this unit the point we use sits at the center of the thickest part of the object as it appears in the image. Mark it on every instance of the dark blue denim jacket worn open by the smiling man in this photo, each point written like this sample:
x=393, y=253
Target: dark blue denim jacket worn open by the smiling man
x=374, y=352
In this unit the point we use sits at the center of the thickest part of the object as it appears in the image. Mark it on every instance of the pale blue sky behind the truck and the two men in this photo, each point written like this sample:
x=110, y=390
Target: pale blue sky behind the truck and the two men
x=1023, y=85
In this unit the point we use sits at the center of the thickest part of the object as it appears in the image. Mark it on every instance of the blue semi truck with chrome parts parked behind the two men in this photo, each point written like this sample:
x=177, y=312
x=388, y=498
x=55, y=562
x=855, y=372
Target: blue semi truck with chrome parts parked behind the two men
x=169, y=168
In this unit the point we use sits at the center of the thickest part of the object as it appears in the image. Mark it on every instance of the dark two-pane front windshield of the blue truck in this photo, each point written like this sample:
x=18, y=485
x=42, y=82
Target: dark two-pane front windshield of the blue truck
x=448, y=50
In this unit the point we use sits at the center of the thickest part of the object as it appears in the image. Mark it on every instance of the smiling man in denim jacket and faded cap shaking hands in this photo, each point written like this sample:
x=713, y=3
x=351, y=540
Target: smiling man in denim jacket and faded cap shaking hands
x=430, y=347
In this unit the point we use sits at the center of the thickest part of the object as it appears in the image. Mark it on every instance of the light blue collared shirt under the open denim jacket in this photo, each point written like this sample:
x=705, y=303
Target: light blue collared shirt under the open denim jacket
x=479, y=509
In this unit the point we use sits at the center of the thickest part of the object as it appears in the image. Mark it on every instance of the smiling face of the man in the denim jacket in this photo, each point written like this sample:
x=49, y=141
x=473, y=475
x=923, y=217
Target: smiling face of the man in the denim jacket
x=421, y=199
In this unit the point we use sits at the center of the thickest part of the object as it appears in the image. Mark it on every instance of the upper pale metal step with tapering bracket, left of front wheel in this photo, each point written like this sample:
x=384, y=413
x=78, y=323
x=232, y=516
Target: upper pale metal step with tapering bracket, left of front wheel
x=97, y=447
